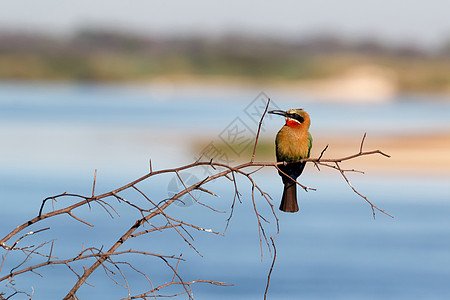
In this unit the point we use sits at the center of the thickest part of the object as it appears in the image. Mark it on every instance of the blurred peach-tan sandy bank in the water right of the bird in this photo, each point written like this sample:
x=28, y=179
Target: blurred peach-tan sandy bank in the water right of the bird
x=418, y=154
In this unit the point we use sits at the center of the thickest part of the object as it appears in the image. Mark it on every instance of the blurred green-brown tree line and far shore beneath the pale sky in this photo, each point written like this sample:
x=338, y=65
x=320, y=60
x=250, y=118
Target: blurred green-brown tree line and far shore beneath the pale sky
x=102, y=55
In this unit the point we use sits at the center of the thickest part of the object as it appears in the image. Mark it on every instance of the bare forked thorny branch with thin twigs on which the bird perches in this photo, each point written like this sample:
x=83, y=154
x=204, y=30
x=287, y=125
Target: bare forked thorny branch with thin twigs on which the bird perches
x=154, y=214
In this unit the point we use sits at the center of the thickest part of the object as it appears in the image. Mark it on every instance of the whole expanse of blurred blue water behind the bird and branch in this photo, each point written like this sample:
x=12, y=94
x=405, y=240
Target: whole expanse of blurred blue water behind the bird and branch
x=54, y=136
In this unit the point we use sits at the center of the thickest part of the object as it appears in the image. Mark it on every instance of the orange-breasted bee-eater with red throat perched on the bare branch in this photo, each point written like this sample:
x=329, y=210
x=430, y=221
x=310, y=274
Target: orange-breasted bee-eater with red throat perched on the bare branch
x=293, y=142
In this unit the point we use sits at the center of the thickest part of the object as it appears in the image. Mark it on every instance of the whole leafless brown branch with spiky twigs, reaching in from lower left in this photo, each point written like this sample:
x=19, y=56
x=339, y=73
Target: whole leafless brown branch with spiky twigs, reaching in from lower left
x=185, y=229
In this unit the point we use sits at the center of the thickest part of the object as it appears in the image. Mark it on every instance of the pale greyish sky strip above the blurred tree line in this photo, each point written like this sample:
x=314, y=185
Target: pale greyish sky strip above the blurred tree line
x=399, y=21
